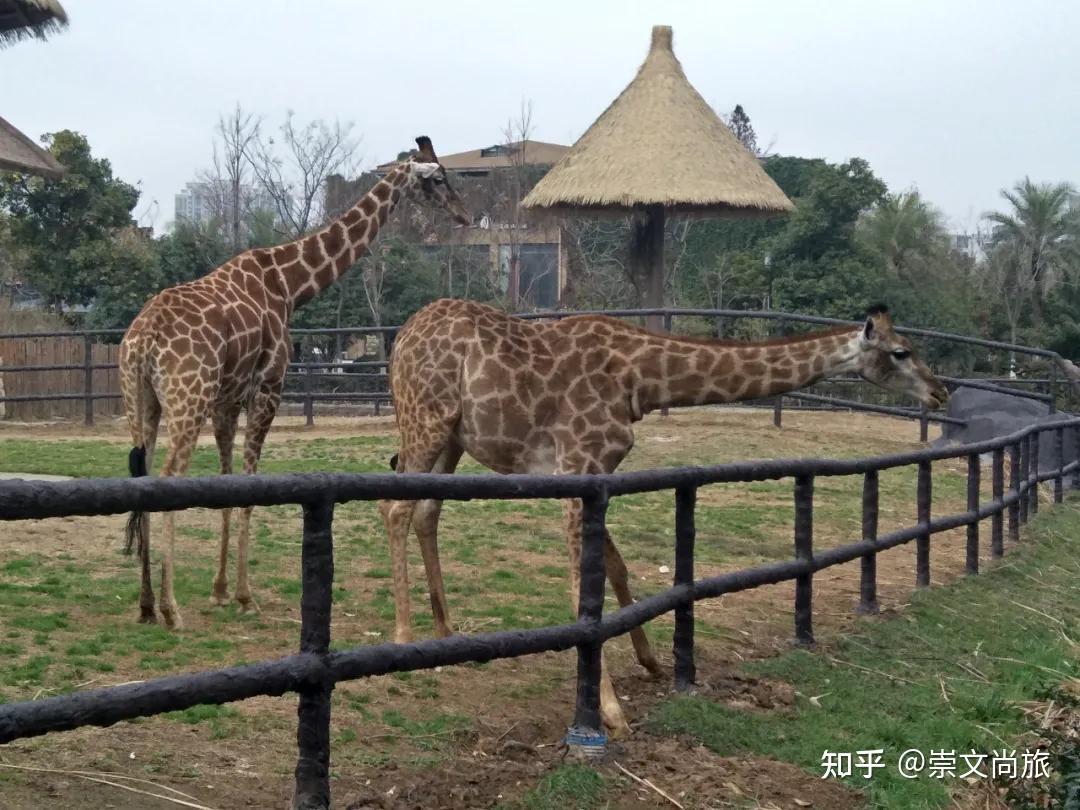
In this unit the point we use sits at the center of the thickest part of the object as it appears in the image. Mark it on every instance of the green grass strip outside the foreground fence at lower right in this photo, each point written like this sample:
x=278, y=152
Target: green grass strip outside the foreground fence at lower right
x=971, y=641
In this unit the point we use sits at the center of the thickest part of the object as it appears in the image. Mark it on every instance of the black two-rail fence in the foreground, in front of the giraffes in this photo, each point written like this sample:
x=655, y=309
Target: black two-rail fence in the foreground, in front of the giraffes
x=315, y=670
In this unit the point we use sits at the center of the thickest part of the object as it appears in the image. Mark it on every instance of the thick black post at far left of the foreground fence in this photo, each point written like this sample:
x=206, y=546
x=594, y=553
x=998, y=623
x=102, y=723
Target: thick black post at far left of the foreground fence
x=314, y=726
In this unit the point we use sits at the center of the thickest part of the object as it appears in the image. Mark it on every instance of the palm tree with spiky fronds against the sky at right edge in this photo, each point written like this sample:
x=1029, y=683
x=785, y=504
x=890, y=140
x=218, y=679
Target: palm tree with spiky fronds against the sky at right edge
x=1043, y=233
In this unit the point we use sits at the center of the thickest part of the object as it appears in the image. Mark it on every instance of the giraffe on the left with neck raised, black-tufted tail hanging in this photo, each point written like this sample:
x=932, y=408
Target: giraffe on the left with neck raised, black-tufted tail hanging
x=221, y=345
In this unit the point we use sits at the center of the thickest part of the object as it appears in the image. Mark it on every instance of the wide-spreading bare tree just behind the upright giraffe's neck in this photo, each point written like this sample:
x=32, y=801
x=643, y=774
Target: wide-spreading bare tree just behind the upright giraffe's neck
x=294, y=172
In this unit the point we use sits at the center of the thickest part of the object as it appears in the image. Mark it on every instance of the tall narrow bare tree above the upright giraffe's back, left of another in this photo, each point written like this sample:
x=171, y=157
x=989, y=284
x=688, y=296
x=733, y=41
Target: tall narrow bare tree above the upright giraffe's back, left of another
x=231, y=180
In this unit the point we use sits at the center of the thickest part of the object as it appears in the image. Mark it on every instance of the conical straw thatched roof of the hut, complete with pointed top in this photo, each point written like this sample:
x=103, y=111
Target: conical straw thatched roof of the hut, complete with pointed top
x=659, y=144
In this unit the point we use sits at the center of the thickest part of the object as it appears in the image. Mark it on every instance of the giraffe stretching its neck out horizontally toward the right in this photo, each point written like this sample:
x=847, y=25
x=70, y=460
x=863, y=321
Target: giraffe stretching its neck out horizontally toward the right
x=562, y=397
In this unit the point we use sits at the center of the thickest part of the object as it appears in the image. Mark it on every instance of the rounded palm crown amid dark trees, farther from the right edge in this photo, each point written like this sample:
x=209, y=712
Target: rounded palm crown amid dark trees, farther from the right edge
x=906, y=232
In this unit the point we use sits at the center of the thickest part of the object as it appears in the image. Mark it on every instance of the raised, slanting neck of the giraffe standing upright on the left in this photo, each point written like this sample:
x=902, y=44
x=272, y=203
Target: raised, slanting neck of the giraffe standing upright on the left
x=327, y=255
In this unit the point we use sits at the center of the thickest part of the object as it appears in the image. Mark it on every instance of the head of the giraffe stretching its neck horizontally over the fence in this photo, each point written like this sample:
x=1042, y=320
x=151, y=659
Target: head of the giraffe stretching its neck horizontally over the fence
x=886, y=359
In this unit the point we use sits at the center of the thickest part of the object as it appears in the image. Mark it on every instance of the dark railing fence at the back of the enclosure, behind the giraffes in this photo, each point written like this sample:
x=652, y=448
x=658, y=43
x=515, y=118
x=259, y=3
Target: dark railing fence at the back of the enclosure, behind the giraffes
x=319, y=375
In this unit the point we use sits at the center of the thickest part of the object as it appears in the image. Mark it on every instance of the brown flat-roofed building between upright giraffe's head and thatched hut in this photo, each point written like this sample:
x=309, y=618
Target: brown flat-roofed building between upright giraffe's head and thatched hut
x=526, y=254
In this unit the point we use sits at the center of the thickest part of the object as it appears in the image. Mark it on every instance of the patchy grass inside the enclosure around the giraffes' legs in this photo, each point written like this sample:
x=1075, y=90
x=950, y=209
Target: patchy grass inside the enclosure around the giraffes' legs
x=63, y=625
